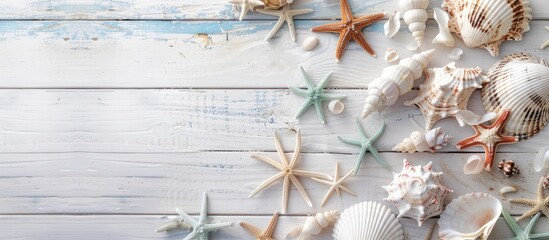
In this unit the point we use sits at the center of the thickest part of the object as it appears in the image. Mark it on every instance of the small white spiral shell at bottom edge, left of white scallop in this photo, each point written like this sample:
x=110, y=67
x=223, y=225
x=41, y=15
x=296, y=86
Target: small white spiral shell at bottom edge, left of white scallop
x=314, y=225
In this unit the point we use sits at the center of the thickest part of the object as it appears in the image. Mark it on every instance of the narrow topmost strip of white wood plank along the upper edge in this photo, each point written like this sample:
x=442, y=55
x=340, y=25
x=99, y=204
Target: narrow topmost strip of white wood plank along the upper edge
x=189, y=10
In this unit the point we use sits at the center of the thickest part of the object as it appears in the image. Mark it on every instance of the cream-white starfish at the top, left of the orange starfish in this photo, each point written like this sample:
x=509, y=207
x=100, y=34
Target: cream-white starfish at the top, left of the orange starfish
x=284, y=15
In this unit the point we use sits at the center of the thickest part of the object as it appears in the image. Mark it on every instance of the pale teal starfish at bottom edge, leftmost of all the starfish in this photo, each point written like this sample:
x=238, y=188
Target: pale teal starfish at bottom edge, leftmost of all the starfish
x=200, y=227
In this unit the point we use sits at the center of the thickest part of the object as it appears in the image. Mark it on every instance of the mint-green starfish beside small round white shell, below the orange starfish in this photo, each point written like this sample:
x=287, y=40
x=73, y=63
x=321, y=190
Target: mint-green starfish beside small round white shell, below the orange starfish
x=314, y=95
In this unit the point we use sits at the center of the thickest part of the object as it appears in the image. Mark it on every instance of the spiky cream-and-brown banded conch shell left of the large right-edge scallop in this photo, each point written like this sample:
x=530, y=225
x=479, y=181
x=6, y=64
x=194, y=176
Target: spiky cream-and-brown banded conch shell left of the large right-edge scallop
x=445, y=91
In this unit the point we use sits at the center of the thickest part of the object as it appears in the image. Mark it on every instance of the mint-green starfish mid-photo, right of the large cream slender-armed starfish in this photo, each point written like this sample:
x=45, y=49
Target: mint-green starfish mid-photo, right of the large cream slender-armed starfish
x=366, y=144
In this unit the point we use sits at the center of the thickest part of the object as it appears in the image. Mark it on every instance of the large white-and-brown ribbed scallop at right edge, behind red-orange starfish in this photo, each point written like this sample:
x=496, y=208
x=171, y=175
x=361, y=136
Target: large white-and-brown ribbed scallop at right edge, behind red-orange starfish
x=519, y=82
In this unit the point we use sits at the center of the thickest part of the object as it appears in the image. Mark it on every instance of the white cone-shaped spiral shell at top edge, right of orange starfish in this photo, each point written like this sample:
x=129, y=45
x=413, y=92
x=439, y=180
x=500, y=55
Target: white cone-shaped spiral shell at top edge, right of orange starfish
x=415, y=15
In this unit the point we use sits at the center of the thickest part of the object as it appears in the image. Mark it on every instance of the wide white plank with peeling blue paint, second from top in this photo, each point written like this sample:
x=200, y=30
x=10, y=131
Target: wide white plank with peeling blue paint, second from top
x=199, y=54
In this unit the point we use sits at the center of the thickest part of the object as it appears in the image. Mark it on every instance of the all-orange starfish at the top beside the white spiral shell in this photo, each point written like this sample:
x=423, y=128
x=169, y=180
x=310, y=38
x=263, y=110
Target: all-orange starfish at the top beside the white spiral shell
x=350, y=28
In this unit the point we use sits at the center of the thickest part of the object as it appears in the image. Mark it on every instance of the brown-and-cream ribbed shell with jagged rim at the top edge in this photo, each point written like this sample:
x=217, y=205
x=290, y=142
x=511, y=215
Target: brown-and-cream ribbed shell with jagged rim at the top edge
x=487, y=23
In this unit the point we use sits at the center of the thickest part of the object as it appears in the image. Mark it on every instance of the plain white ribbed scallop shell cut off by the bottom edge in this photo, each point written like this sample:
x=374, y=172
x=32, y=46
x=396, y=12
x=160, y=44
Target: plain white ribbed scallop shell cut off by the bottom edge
x=367, y=220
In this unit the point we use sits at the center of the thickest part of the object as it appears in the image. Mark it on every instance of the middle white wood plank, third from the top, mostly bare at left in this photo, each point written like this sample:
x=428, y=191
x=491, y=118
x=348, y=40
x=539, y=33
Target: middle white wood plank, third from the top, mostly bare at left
x=199, y=120
